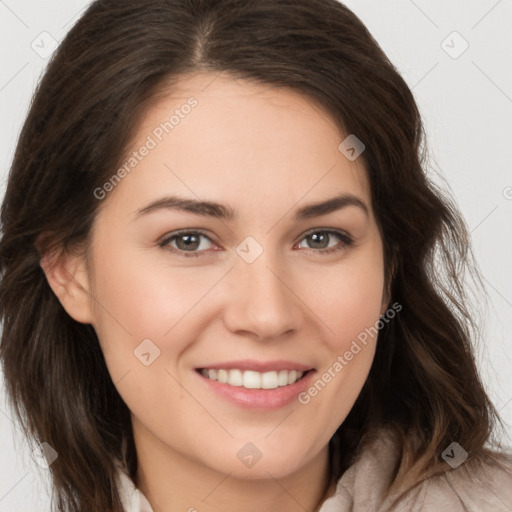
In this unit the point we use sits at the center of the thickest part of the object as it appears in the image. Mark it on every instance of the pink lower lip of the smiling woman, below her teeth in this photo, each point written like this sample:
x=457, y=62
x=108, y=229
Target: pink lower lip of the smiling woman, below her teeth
x=266, y=399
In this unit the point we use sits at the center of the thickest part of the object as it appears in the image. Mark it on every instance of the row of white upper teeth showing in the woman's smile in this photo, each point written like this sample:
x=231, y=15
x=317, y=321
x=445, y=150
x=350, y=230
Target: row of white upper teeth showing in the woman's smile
x=254, y=380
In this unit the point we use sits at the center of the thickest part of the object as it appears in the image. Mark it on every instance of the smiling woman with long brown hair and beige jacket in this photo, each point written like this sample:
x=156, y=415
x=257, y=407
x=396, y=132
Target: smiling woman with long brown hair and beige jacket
x=221, y=283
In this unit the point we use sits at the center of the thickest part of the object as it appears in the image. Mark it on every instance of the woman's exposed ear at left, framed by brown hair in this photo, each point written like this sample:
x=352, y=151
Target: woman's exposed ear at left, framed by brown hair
x=67, y=276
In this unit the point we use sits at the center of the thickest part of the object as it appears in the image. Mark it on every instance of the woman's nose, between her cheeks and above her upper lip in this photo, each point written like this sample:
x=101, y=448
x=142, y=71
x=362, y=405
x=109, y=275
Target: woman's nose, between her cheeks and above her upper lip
x=261, y=302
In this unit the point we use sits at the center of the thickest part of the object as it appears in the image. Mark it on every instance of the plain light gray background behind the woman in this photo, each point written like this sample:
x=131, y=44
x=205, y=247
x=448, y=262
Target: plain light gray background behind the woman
x=466, y=103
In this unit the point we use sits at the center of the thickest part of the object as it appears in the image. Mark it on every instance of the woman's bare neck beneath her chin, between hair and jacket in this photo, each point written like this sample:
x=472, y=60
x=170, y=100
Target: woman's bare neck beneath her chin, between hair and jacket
x=173, y=482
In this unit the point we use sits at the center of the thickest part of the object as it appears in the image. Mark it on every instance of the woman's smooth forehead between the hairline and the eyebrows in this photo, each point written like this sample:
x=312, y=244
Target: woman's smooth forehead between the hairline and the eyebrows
x=230, y=140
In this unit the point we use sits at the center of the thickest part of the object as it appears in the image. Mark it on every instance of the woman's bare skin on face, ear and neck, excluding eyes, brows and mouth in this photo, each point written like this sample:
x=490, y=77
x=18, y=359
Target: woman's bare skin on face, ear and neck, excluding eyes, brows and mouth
x=265, y=152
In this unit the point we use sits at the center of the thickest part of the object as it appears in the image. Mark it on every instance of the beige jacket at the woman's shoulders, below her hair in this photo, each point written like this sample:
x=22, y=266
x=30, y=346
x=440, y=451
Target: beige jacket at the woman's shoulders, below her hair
x=361, y=487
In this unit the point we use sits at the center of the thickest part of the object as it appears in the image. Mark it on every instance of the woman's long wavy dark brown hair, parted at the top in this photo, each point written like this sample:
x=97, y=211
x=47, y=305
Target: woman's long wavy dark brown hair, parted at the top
x=423, y=384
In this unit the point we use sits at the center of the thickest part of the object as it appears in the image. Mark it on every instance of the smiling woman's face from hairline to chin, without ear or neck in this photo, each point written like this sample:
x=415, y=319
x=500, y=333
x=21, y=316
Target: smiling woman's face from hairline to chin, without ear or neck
x=207, y=314
